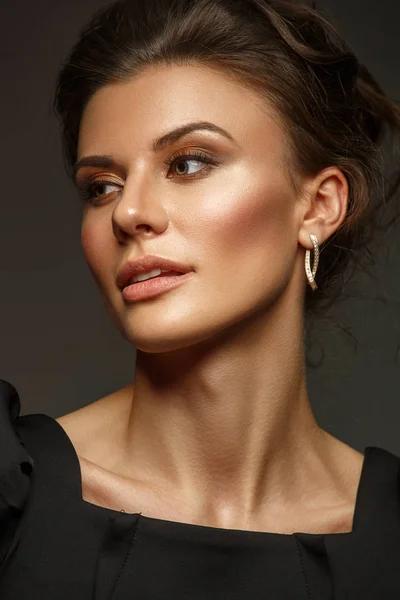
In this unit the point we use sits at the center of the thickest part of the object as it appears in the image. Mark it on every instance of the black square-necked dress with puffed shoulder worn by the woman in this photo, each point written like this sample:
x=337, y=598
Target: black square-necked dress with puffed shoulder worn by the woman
x=56, y=546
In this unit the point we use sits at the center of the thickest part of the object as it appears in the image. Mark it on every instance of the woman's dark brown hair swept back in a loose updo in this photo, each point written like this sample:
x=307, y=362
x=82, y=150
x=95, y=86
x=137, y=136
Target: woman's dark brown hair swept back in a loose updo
x=334, y=111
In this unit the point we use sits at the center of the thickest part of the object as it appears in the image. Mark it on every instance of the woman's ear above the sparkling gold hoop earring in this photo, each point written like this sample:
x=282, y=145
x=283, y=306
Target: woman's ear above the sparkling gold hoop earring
x=326, y=206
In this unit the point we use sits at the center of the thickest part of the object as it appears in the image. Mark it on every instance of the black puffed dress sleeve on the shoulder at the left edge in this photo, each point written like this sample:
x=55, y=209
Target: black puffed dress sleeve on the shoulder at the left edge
x=16, y=467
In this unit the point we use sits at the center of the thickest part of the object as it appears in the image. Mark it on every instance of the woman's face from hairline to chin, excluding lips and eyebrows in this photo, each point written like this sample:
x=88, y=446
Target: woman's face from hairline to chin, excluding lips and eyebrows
x=233, y=220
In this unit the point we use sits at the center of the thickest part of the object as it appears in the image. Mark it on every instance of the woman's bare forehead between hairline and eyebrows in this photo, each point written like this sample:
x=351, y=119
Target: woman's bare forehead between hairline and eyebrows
x=133, y=113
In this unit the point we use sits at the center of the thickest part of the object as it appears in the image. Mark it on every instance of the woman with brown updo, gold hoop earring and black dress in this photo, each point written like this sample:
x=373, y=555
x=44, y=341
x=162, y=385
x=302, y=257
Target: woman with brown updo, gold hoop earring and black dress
x=219, y=148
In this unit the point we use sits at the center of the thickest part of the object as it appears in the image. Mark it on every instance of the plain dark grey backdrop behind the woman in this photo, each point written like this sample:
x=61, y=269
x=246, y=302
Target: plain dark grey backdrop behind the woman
x=58, y=347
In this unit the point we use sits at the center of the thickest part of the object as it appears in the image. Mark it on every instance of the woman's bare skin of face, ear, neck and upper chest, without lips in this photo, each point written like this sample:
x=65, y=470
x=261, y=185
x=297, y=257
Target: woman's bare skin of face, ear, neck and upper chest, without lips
x=216, y=427
